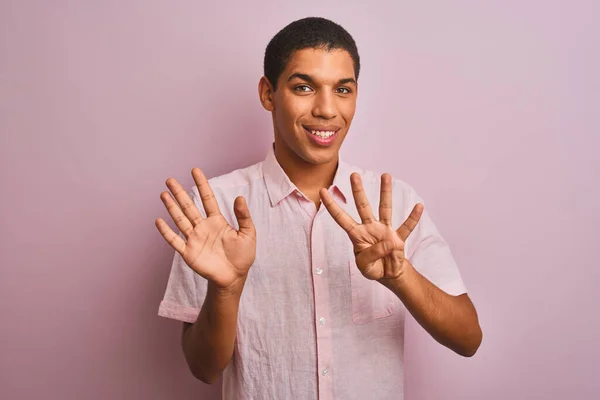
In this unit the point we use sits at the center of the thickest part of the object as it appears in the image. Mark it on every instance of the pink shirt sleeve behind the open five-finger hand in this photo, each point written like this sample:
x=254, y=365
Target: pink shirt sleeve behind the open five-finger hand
x=186, y=289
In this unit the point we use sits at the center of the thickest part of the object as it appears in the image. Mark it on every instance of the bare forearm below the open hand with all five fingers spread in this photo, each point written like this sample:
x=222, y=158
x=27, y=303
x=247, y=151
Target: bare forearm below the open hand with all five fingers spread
x=208, y=343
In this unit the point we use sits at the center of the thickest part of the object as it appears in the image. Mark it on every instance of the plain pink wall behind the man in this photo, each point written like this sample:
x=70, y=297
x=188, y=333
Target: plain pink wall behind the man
x=489, y=110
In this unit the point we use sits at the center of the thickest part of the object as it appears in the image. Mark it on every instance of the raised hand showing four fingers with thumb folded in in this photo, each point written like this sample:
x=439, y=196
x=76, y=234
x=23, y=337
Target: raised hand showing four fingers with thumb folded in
x=378, y=248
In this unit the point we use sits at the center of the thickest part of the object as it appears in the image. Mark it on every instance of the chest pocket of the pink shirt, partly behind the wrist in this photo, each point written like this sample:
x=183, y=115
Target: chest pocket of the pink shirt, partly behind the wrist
x=370, y=299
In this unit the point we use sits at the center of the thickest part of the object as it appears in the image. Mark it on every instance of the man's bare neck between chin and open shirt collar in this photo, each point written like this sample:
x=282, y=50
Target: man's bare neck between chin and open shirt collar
x=307, y=177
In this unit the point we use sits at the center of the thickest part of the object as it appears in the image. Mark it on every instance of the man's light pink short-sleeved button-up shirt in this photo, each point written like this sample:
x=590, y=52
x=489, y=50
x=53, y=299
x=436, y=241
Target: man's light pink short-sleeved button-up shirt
x=310, y=326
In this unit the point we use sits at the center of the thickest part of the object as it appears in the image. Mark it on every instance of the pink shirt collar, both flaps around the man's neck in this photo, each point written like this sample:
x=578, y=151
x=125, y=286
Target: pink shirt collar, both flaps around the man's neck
x=279, y=185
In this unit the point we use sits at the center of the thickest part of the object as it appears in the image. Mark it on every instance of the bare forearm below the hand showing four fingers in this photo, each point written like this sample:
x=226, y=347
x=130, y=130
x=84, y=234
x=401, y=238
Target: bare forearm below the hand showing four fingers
x=451, y=320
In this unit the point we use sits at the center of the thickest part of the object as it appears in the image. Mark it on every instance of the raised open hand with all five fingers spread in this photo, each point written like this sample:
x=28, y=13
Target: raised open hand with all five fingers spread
x=212, y=248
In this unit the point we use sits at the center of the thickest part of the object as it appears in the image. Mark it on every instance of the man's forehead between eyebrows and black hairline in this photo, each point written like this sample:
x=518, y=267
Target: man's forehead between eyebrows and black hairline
x=321, y=64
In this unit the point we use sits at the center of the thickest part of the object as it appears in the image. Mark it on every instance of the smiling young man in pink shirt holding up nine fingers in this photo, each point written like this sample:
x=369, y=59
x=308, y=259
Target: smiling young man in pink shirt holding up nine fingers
x=290, y=300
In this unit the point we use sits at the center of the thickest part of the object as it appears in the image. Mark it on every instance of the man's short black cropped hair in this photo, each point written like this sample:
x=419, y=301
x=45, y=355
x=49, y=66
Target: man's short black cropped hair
x=306, y=33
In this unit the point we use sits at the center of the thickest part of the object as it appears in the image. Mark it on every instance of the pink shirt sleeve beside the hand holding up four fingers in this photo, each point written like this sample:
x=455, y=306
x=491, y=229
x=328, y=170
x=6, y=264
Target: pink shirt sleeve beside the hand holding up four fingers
x=429, y=253
